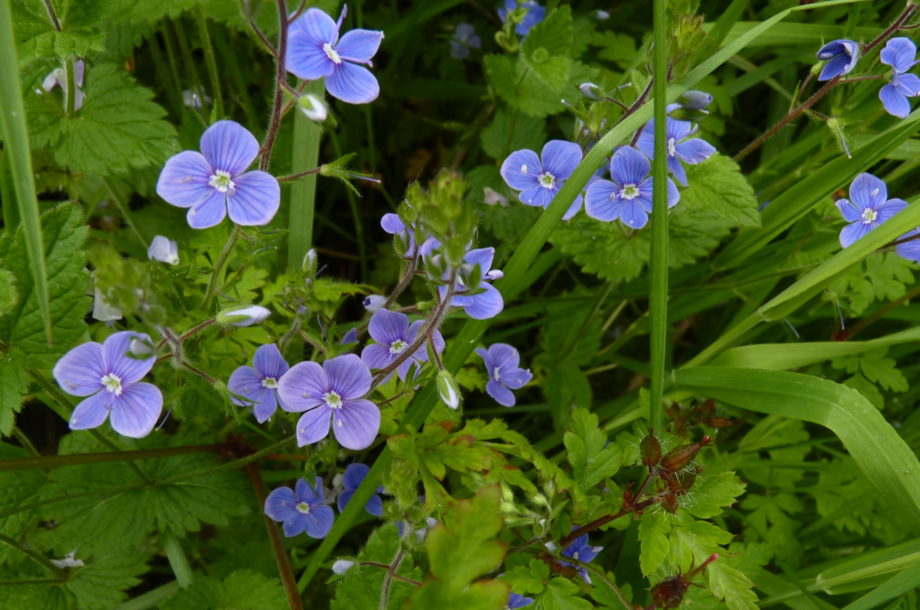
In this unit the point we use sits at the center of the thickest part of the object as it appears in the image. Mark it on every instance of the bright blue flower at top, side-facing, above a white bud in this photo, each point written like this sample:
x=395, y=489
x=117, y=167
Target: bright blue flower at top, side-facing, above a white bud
x=316, y=51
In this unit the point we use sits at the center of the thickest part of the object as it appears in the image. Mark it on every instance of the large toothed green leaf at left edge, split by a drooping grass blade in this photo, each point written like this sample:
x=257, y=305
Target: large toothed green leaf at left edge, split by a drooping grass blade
x=21, y=328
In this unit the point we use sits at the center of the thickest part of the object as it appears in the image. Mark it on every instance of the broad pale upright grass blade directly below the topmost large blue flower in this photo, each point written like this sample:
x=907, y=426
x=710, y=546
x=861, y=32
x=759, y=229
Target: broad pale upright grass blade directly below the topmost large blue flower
x=302, y=194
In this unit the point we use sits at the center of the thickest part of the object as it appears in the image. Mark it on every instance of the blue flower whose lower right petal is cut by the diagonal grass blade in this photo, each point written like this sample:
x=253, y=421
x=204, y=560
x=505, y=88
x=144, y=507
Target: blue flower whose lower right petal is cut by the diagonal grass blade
x=540, y=178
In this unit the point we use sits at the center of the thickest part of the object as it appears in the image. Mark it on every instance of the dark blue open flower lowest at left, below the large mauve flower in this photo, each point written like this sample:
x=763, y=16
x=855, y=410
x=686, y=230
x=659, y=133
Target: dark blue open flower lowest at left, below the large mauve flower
x=300, y=509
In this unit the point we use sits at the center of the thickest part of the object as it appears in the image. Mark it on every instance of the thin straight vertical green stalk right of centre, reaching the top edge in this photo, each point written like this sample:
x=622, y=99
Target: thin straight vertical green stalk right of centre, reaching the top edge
x=658, y=288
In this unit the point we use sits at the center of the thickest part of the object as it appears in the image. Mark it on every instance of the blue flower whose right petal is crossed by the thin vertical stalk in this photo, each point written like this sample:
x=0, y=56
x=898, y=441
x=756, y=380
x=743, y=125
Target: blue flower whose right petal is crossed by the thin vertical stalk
x=629, y=196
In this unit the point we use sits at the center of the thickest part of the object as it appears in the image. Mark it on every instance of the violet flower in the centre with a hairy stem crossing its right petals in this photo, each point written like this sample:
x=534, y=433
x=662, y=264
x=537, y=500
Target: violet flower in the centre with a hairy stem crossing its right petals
x=393, y=335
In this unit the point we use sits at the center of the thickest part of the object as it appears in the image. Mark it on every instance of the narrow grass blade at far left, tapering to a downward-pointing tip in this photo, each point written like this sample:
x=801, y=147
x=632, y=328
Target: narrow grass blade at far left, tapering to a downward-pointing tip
x=16, y=145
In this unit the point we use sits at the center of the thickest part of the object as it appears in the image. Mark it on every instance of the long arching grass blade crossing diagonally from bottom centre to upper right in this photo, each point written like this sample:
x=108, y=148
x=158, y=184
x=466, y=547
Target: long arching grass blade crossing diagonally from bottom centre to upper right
x=516, y=272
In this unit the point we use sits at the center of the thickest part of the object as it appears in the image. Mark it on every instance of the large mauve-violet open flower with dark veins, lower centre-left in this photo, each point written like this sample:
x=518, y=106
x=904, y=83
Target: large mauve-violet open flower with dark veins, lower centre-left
x=333, y=391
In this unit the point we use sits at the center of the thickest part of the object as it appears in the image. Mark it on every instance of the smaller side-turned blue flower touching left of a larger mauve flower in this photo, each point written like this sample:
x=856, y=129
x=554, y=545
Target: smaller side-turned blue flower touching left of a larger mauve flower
x=258, y=384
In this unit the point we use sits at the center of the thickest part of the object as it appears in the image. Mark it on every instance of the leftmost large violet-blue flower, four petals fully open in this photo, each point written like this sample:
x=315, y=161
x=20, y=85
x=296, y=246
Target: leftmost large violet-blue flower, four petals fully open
x=111, y=379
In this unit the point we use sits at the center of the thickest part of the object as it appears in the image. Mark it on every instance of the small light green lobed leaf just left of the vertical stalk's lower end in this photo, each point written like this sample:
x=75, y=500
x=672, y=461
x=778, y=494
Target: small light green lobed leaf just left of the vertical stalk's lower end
x=591, y=461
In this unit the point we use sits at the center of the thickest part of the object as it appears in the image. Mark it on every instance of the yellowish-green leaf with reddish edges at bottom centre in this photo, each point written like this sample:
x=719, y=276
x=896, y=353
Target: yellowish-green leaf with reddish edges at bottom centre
x=463, y=549
